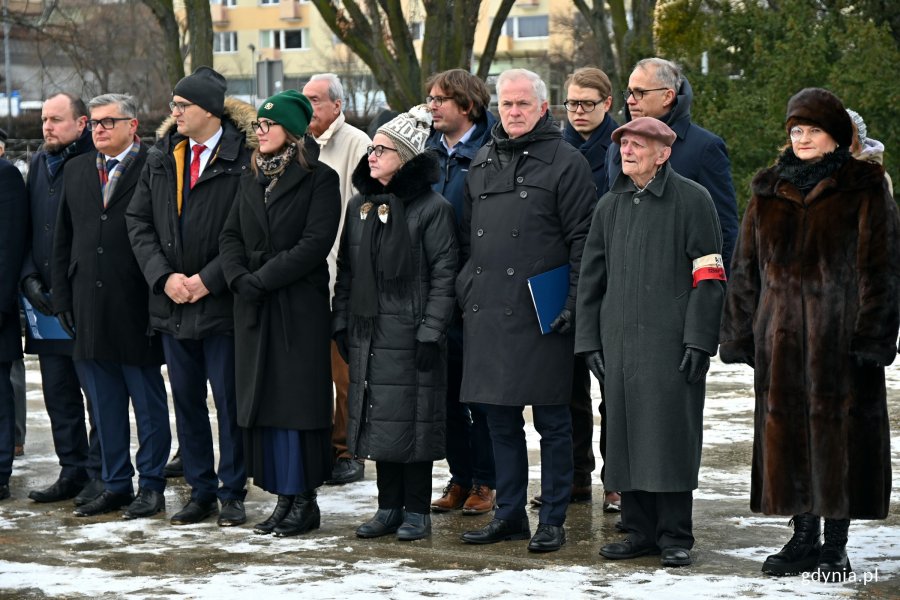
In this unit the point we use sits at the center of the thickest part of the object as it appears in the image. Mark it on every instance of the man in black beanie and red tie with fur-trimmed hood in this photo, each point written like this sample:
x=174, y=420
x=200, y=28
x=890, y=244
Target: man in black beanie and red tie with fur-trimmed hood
x=176, y=215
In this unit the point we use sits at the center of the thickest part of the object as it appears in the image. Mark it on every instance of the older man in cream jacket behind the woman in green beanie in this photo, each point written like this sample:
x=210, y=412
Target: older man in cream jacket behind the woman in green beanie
x=341, y=146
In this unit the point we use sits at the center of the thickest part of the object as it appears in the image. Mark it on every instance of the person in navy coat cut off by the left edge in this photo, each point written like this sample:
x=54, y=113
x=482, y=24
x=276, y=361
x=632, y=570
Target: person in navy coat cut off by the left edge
x=13, y=219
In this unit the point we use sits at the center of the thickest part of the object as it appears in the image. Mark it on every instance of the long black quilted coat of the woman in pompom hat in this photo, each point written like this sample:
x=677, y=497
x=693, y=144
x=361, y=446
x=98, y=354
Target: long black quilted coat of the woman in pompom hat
x=396, y=412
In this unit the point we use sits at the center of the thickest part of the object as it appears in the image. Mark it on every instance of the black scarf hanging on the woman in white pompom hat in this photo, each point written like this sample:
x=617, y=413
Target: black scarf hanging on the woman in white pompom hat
x=385, y=258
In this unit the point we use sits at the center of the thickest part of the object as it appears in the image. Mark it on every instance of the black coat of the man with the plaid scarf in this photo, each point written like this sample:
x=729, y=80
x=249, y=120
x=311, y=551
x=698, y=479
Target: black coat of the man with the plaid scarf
x=95, y=274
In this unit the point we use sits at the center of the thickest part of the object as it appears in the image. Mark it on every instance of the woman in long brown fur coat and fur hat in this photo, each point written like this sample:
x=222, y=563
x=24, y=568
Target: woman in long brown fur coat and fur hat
x=812, y=305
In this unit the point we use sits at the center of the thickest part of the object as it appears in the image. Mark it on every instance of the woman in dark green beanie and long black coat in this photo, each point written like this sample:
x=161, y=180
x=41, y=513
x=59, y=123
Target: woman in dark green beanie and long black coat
x=274, y=248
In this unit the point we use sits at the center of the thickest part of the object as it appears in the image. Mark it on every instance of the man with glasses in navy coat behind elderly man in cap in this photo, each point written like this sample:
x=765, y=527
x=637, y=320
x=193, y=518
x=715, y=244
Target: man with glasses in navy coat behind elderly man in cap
x=656, y=88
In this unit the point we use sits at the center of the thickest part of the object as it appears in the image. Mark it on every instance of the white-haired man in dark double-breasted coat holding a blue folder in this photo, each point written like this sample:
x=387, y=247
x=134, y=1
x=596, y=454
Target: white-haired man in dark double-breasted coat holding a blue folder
x=528, y=202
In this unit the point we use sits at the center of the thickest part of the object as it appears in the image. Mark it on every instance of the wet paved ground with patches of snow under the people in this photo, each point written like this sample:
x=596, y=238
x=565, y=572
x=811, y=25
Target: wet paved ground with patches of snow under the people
x=46, y=552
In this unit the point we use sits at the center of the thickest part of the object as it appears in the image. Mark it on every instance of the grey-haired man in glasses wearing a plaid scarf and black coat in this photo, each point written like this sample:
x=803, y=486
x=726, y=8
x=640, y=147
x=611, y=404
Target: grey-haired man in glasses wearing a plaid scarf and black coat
x=101, y=300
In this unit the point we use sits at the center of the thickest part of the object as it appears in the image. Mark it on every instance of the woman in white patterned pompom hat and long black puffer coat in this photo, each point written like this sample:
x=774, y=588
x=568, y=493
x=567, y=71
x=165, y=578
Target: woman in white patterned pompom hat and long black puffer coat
x=393, y=303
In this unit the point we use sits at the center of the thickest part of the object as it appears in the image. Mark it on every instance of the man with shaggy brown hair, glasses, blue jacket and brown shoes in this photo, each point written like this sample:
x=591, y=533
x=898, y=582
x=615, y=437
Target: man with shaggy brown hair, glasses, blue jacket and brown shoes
x=461, y=125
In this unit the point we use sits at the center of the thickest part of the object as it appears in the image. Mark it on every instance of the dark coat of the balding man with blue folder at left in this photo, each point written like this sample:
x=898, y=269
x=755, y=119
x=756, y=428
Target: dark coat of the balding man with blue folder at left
x=44, y=191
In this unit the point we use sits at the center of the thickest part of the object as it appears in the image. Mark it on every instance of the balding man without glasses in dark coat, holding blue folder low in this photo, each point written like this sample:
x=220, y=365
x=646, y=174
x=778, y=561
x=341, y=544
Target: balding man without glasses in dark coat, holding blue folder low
x=64, y=127
